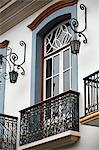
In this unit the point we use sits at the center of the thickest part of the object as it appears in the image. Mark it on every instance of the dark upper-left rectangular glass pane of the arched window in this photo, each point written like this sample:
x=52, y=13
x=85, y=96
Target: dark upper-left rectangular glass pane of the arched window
x=48, y=67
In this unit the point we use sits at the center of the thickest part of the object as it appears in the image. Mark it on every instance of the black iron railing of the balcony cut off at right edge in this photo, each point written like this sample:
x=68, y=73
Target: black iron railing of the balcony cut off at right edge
x=91, y=93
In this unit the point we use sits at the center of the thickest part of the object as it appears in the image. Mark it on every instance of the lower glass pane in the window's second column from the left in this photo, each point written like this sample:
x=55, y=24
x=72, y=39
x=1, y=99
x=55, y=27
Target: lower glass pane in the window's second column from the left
x=55, y=85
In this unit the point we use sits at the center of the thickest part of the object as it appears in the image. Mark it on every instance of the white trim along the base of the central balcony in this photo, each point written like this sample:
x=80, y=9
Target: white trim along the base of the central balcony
x=49, y=139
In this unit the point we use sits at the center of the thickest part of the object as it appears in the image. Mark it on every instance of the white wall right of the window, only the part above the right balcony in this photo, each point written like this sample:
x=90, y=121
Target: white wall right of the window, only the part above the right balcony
x=88, y=61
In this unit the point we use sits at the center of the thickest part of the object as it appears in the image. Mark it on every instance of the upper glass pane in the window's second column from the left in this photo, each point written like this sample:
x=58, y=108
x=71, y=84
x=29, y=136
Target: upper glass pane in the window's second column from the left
x=56, y=64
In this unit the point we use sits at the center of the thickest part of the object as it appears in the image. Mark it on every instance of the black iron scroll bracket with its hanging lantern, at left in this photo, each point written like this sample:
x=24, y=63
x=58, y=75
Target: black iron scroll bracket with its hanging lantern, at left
x=11, y=59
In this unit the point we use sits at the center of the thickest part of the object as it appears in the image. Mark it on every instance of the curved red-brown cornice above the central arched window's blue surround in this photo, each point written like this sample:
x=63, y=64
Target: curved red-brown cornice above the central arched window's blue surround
x=50, y=10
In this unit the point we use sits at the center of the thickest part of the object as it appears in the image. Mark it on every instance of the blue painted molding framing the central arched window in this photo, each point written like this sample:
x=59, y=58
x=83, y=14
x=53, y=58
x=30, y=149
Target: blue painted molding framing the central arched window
x=37, y=41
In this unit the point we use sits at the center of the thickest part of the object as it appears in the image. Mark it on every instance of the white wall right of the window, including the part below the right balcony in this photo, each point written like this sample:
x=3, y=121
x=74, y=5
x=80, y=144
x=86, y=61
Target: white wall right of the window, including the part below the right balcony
x=88, y=62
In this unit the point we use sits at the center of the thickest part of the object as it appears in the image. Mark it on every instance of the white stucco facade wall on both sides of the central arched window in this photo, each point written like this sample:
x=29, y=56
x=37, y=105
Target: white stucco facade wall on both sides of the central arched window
x=17, y=96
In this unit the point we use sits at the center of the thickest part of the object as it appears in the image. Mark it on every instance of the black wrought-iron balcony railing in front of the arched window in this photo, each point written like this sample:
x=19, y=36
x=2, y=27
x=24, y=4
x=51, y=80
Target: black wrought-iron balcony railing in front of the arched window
x=53, y=116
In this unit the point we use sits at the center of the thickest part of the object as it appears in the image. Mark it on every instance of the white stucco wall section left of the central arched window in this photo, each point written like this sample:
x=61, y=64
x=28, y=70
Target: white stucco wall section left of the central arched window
x=17, y=96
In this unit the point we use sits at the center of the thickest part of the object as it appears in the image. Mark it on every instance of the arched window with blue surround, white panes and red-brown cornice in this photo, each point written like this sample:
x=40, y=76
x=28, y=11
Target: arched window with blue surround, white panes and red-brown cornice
x=54, y=67
